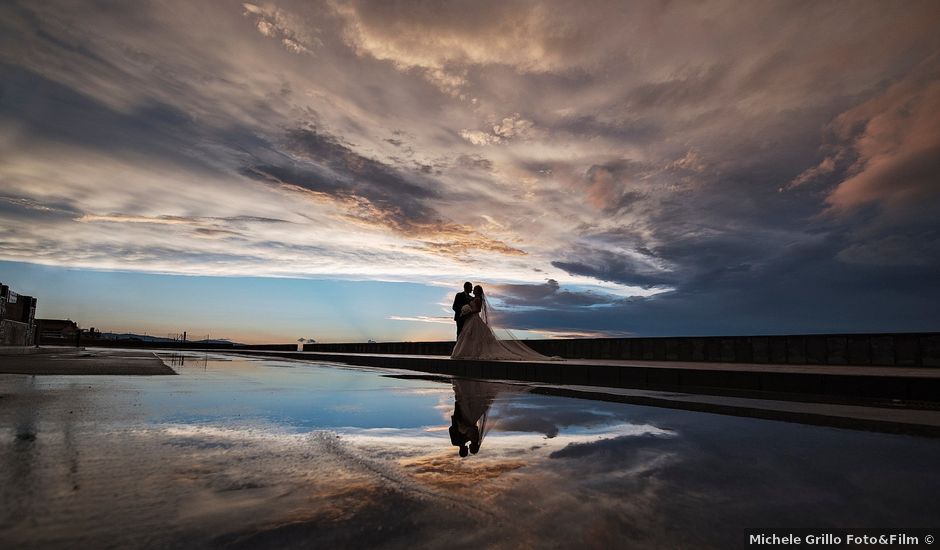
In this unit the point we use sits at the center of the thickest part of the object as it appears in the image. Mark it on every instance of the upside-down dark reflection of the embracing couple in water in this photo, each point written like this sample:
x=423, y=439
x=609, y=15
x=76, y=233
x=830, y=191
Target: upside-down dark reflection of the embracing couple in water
x=470, y=422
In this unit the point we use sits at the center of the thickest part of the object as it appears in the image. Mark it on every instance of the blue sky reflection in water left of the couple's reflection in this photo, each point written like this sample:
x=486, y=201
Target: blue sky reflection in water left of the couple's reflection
x=293, y=395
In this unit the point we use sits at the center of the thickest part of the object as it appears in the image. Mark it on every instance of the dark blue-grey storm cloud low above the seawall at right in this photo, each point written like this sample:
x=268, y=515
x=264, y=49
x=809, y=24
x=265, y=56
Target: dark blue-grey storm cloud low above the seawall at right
x=794, y=288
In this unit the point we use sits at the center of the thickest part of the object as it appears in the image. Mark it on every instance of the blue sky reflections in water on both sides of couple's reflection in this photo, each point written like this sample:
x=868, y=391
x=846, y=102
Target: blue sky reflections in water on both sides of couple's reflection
x=301, y=396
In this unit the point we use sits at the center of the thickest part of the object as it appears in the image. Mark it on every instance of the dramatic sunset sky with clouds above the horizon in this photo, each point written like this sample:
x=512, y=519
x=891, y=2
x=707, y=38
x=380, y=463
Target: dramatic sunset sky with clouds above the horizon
x=335, y=170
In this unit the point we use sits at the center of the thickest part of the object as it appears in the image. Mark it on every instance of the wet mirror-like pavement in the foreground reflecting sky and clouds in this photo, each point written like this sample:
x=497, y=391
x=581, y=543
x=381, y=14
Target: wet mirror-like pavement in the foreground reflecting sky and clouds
x=243, y=452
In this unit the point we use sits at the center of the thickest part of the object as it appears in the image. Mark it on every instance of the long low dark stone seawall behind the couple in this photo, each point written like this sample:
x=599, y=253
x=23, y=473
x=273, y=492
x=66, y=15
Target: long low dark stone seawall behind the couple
x=893, y=349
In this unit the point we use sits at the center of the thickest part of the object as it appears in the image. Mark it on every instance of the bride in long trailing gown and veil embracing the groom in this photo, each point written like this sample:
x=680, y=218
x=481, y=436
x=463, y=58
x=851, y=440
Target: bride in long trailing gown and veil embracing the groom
x=478, y=341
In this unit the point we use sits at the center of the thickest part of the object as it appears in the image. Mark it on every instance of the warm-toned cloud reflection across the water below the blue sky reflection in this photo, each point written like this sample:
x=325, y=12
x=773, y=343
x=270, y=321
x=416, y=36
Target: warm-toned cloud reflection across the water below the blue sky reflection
x=262, y=484
